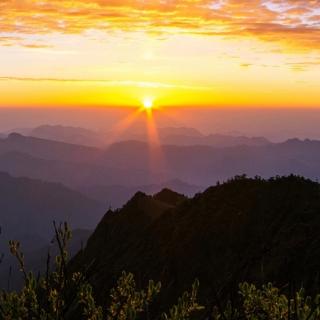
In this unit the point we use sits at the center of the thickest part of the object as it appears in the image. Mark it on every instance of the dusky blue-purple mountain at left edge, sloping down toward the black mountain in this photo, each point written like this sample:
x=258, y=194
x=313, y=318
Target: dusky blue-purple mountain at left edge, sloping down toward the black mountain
x=29, y=206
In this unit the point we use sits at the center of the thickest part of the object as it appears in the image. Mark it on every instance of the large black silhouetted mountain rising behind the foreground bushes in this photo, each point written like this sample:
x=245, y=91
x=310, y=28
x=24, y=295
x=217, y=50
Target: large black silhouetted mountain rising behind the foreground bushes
x=243, y=230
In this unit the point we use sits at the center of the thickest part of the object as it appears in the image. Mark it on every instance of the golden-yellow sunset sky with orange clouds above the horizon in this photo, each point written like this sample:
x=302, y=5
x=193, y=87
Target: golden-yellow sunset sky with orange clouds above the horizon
x=195, y=53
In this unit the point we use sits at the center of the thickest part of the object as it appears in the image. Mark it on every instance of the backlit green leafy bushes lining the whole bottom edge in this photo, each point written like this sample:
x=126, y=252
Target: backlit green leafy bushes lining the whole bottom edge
x=61, y=294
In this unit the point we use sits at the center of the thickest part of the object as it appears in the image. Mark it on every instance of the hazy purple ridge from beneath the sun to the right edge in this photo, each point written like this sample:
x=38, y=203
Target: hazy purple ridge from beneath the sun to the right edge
x=203, y=165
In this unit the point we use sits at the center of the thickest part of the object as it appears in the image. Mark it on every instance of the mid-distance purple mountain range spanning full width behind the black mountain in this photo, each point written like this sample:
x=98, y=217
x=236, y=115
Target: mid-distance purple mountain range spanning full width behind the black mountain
x=129, y=165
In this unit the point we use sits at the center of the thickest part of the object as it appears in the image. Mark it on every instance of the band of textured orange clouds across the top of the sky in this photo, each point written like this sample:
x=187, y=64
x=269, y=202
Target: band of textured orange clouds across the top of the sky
x=295, y=22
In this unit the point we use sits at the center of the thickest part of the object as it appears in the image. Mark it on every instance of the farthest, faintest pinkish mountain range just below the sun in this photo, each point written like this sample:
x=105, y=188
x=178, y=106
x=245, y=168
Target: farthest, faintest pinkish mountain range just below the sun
x=168, y=135
